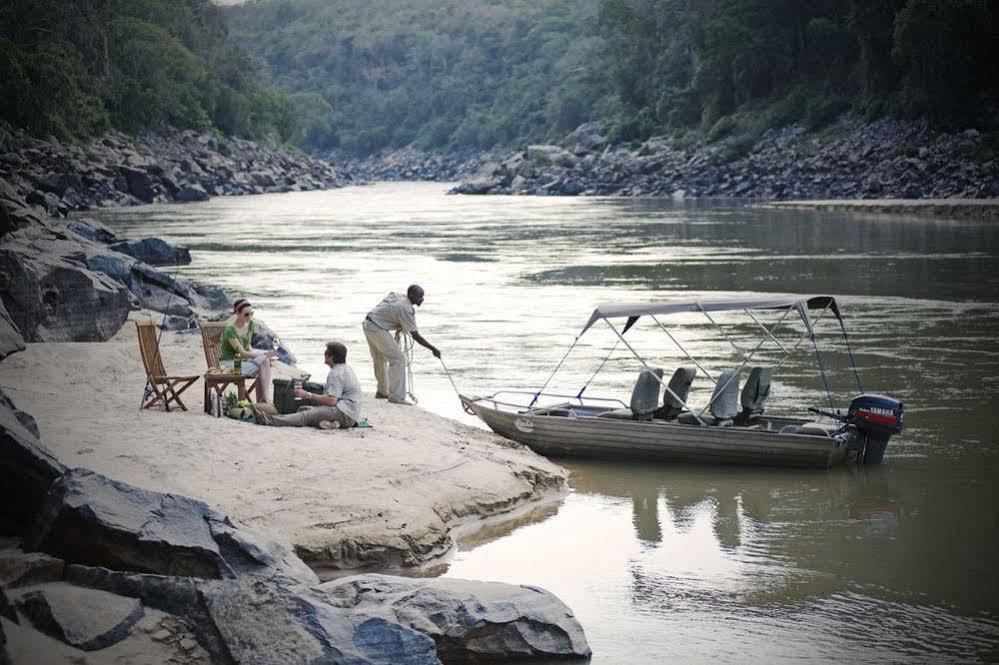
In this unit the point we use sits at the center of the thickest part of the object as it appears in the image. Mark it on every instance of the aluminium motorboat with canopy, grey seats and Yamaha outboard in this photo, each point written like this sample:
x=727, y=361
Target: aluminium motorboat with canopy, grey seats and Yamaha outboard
x=734, y=427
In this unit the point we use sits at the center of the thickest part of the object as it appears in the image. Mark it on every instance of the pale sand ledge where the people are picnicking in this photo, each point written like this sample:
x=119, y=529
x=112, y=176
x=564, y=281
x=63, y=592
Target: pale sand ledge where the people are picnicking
x=392, y=494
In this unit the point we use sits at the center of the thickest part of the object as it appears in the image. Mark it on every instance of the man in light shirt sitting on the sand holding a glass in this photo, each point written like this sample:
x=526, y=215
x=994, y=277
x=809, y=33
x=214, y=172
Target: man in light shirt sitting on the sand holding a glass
x=338, y=407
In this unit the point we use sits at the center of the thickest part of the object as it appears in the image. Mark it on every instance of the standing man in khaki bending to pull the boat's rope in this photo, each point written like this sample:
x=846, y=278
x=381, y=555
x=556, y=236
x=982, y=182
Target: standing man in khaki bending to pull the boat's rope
x=395, y=312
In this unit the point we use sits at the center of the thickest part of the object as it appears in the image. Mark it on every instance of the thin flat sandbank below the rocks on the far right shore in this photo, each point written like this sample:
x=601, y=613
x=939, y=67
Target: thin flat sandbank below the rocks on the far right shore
x=977, y=209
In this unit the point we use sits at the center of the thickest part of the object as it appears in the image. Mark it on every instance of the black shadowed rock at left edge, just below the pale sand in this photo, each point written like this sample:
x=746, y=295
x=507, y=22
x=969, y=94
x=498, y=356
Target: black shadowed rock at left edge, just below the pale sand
x=27, y=470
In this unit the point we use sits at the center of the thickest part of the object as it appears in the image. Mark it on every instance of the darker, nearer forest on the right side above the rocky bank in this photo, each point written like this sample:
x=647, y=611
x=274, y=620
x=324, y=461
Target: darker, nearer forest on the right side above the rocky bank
x=681, y=63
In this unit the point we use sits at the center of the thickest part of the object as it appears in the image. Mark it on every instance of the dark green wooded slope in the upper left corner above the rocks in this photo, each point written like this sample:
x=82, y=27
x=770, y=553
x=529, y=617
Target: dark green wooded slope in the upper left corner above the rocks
x=76, y=68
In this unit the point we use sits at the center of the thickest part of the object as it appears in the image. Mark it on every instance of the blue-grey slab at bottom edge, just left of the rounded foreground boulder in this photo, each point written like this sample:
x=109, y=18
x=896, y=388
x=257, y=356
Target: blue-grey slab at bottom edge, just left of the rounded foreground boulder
x=268, y=622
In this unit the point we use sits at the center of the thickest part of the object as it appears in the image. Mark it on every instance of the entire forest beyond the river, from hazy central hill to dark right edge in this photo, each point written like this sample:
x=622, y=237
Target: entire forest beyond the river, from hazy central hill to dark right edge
x=480, y=73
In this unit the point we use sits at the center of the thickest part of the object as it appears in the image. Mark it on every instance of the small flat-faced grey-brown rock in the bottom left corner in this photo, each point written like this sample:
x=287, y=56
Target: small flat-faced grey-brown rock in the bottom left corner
x=86, y=619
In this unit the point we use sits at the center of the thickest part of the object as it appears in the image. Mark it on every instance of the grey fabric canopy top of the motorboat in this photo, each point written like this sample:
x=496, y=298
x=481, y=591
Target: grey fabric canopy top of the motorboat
x=633, y=311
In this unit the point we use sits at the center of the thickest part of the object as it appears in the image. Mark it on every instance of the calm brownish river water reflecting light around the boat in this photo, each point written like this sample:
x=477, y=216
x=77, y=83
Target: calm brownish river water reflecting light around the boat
x=895, y=563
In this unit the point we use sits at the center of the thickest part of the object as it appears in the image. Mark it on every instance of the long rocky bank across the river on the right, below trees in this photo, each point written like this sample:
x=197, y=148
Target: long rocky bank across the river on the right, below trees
x=886, y=159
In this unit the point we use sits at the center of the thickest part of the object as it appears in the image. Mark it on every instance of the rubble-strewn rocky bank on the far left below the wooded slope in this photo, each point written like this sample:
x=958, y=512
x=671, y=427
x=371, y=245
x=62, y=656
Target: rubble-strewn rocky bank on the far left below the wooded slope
x=116, y=169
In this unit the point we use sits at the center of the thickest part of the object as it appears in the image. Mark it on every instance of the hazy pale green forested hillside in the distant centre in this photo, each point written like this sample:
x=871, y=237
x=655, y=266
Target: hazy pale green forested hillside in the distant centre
x=442, y=73
